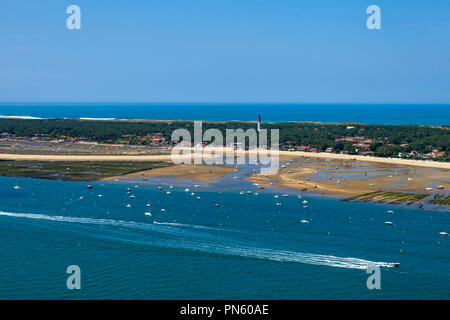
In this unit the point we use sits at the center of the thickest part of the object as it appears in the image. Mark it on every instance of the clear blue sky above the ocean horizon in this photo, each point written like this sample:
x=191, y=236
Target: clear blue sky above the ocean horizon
x=225, y=51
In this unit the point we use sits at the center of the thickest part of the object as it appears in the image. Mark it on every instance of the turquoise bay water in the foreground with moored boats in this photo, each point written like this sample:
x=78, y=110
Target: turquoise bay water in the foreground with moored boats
x=248, y=248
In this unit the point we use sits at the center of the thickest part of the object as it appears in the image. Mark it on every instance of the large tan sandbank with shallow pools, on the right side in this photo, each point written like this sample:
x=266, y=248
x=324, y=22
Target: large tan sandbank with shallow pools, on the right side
x=345, y=178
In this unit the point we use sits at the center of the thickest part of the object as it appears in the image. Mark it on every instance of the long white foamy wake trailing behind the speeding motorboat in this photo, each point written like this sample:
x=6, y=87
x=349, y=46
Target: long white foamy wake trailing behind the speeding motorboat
x=207, y=243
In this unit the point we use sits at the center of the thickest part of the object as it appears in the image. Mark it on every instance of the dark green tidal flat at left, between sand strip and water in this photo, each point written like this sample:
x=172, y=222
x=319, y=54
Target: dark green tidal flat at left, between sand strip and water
x=74, y=171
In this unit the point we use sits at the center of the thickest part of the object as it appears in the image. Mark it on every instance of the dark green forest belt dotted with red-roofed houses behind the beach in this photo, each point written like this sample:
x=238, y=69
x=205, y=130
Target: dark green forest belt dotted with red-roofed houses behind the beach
x=387, y=140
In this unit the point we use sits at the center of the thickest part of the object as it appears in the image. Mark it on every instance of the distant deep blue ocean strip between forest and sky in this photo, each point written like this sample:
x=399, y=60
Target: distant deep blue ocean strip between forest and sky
x=426, y=114
